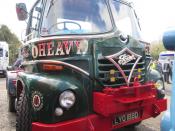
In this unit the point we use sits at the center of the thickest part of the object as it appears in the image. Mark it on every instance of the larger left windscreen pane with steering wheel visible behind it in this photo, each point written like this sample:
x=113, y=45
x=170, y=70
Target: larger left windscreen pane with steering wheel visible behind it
x=75, y=17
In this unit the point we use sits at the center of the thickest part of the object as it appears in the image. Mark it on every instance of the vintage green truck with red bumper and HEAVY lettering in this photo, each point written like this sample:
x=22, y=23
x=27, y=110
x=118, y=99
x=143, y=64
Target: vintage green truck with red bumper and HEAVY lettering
x=85, y=68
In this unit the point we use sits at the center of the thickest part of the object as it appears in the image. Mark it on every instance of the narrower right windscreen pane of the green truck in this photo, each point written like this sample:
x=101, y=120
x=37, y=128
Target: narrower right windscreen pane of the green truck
x=125, y=18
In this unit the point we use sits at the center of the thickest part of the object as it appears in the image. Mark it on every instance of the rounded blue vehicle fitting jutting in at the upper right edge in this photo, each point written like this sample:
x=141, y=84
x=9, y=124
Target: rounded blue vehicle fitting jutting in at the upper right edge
x=169, y=39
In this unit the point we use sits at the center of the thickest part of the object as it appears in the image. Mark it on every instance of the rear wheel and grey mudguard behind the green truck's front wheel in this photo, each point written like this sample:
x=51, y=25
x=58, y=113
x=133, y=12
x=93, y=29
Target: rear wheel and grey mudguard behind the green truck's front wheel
x=11, y=83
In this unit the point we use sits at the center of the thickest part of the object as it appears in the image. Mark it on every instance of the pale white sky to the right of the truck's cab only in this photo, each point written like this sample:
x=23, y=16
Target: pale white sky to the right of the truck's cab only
x=155, y=16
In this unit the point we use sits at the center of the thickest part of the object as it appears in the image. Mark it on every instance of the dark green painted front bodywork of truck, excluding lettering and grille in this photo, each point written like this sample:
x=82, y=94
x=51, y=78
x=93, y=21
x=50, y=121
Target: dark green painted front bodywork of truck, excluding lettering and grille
x=52, y=84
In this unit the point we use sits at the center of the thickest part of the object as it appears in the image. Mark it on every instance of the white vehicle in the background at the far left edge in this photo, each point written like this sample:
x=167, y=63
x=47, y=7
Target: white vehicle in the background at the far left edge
x=4, y=57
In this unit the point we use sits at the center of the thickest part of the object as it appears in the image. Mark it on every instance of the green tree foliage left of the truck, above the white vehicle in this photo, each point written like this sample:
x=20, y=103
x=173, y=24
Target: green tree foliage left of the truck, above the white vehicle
x=12, y=40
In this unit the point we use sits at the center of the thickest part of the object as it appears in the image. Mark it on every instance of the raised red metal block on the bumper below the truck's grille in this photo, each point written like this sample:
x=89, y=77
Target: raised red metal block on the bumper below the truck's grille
x=117, y=100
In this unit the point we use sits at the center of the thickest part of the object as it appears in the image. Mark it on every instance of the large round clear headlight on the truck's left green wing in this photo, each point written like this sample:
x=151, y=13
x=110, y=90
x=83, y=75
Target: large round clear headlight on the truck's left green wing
x=67, y=99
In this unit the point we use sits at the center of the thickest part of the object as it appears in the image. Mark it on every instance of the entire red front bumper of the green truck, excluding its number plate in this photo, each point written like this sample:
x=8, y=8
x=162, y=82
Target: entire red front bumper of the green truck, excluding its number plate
x=108, y=104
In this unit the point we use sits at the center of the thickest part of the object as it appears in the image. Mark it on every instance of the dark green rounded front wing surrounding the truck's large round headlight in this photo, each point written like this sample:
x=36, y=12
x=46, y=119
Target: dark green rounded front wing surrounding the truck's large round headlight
x=51, y=85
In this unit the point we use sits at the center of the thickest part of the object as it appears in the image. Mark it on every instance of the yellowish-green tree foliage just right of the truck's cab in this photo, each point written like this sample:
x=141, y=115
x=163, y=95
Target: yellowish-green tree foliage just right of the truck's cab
x=156, y=48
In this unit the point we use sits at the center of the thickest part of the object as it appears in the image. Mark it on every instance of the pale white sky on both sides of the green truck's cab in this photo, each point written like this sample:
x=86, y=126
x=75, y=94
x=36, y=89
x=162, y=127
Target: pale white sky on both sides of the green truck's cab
x=155, y=16
